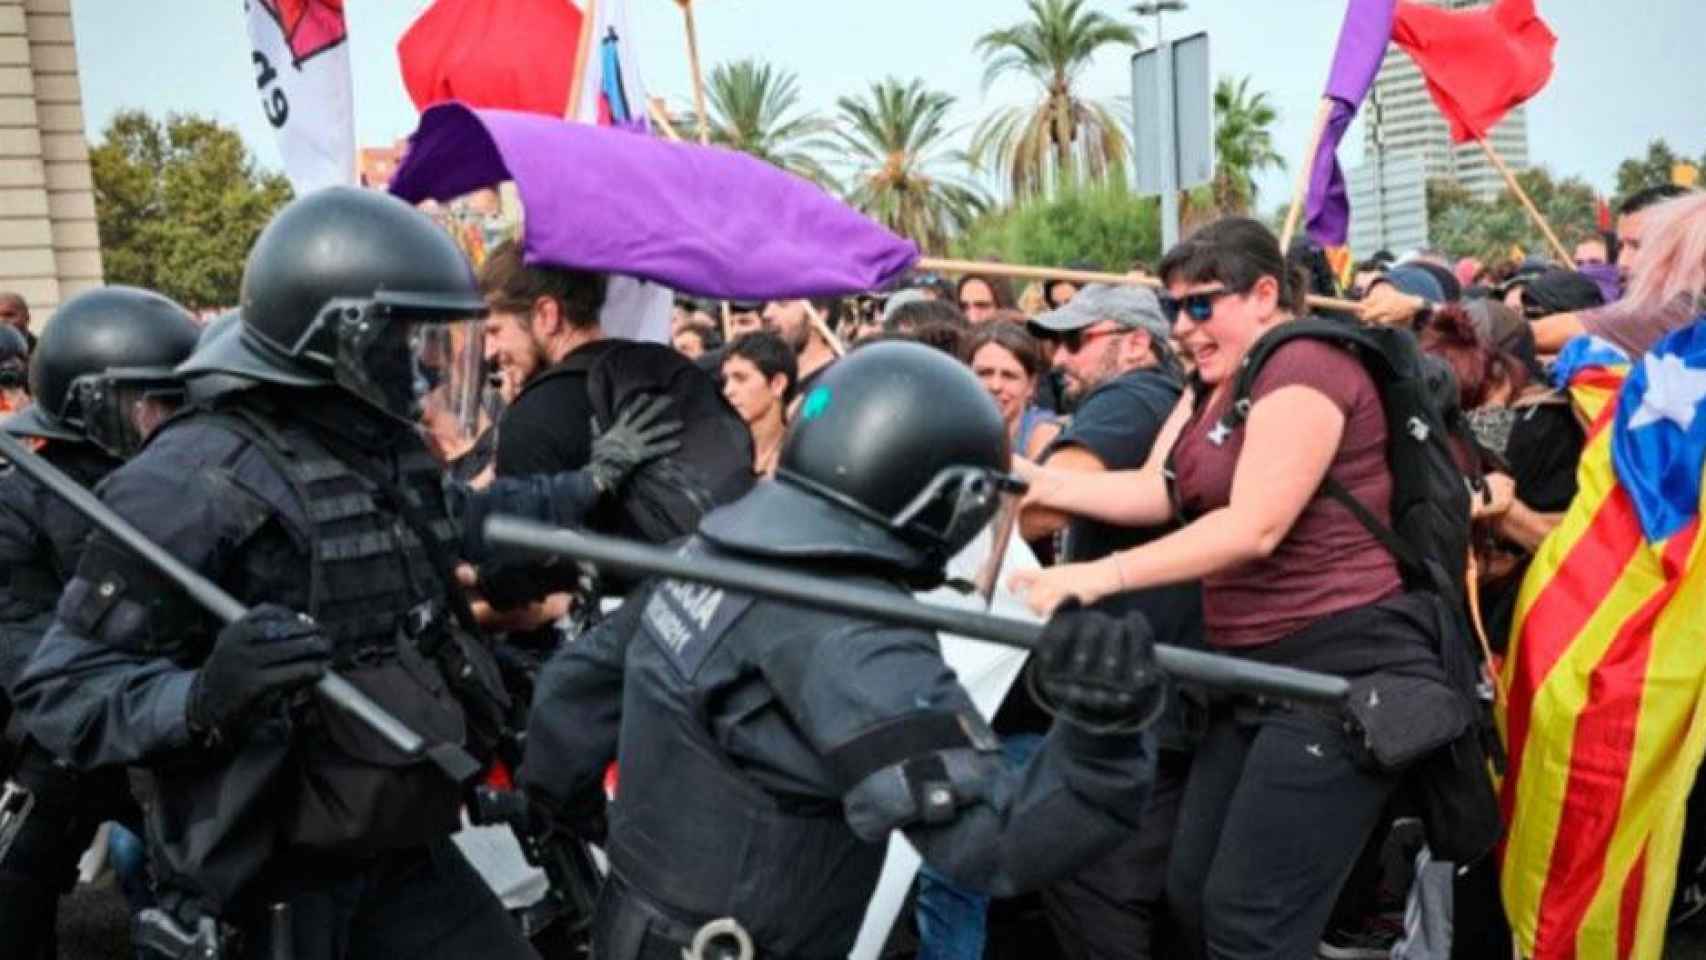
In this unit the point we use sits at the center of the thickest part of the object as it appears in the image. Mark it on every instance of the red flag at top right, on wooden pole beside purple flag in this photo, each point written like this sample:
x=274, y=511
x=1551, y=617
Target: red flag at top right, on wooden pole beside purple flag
x=1478, y=64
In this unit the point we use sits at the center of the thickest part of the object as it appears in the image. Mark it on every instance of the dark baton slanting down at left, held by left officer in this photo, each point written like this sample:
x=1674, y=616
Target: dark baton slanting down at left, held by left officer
x=450, y=758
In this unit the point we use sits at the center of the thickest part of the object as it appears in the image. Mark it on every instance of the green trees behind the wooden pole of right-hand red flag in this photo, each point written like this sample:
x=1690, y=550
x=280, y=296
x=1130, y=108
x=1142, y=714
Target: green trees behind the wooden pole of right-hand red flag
x=1463, y=226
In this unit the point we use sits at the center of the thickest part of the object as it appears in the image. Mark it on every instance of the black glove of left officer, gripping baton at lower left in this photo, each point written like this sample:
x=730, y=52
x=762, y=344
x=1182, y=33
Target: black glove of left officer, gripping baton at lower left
x=264, y=656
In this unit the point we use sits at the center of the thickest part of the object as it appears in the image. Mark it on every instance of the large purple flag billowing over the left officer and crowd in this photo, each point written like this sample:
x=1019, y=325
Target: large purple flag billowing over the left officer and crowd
x=697, y=219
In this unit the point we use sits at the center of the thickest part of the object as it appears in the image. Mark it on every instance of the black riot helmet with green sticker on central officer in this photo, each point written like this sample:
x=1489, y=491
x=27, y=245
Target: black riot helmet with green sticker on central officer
x=898, y=458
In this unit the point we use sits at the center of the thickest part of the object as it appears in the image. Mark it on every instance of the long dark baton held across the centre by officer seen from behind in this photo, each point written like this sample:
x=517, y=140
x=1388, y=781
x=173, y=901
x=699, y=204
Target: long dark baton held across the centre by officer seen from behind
x=1210, y=669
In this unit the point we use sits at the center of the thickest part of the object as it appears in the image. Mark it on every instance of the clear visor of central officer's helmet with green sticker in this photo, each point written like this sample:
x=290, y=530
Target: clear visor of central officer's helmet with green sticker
x=973, y=512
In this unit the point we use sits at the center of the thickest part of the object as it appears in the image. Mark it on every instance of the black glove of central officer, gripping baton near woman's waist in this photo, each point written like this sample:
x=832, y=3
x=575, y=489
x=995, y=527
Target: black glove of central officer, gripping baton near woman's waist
x=1098, y=671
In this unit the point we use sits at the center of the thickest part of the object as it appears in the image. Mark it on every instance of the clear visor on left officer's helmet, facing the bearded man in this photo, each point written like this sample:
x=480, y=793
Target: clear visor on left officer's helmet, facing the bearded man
x=422, y=367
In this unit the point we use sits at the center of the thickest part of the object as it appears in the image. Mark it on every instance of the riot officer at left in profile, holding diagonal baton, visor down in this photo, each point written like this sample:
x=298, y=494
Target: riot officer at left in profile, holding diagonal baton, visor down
x=276, y=823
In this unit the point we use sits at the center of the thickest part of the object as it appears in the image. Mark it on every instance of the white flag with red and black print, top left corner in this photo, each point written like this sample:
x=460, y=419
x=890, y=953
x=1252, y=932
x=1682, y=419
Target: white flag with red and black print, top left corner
x=301, y=61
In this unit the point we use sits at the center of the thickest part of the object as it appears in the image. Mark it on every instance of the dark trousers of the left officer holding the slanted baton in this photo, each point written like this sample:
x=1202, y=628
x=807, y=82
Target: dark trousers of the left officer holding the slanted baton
x=424, y=905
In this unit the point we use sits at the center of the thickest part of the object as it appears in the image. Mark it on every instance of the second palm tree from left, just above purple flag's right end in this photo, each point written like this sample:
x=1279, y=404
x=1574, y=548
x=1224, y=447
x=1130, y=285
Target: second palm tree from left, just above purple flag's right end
x=895, y=142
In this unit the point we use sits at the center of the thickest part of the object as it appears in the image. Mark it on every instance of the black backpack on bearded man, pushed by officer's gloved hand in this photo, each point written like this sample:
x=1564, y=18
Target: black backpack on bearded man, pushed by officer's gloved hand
x=666, y=499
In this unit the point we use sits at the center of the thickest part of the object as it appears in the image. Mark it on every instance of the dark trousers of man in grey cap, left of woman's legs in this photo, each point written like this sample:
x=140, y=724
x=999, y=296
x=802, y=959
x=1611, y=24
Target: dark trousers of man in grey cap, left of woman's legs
x=1117, y=908
